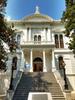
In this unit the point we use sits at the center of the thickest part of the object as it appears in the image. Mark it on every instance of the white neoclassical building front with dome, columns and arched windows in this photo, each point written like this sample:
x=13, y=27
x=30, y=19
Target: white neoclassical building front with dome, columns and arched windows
x=41, y=46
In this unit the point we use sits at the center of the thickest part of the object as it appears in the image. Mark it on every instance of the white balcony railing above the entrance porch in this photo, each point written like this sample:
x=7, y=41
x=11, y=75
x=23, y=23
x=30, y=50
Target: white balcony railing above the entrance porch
x=38, y=43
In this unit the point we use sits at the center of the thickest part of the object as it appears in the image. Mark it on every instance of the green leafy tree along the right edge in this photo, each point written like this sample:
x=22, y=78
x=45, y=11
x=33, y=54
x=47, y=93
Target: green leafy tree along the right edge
x=69, y=19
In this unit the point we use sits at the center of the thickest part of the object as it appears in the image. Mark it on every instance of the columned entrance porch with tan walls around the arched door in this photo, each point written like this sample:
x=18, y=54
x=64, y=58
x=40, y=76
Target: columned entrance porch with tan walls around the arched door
x=39, y=59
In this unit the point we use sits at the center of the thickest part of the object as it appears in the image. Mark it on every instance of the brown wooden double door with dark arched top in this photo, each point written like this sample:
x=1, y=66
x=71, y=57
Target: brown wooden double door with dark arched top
x=37, y=65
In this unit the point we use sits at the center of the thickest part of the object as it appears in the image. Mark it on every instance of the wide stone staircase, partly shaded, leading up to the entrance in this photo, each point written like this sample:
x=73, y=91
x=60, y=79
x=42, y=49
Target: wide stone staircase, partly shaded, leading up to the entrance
x=38, y=82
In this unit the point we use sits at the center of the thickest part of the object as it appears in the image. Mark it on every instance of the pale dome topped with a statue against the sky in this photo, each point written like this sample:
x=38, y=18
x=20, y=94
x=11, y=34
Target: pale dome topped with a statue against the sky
x=37, y=17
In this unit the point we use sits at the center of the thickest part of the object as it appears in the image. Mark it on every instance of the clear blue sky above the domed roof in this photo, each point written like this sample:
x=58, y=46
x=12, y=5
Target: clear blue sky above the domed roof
x=17, y=9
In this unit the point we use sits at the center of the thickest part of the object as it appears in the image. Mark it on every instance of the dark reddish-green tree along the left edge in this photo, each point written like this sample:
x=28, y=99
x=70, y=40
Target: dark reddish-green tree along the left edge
x=6, y=35
